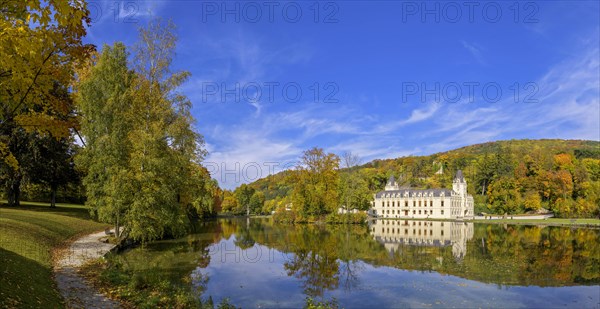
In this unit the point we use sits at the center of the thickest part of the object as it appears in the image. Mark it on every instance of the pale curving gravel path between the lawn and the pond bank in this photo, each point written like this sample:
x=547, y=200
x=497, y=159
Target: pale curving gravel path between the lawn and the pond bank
x=77, y=292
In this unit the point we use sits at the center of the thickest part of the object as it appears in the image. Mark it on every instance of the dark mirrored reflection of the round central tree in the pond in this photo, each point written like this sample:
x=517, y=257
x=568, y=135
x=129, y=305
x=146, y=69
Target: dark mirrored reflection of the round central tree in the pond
x=319, y=271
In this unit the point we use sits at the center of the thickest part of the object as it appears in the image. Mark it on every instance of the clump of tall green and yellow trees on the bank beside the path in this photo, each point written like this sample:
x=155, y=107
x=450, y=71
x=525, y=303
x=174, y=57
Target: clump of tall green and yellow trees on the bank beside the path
x=141, y=150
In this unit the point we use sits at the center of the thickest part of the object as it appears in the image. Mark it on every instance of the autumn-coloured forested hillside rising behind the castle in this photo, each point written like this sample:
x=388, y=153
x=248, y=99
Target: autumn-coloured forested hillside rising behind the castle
x=511, y=177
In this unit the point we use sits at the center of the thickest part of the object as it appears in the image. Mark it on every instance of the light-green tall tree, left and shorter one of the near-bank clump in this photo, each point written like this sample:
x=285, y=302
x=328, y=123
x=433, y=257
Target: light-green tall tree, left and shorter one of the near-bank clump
x=104, y=100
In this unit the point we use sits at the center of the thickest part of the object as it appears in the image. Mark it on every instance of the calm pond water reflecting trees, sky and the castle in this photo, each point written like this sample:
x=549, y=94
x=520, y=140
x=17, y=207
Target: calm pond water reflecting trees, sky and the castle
x=388, y=263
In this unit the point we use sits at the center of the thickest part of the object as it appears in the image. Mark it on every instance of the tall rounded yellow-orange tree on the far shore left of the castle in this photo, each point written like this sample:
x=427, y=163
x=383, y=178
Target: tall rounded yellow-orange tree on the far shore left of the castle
x=316, y=184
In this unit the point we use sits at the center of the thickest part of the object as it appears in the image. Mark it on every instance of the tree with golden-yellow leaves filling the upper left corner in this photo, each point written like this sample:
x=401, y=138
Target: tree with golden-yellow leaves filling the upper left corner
x=40, y=45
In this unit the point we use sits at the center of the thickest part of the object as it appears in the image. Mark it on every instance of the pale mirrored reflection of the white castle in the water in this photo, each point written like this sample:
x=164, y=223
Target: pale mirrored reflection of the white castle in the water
x=396, y=233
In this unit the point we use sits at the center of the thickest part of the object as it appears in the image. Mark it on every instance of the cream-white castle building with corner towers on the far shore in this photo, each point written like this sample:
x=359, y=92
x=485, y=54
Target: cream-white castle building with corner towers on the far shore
x=403, y=202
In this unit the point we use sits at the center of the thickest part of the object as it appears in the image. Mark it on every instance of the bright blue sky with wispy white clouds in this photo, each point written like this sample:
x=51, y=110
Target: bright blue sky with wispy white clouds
x=382, y=79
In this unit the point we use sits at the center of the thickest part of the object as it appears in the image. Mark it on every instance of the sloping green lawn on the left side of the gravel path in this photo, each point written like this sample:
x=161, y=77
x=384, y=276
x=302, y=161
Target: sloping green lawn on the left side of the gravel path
x=28, y=235
